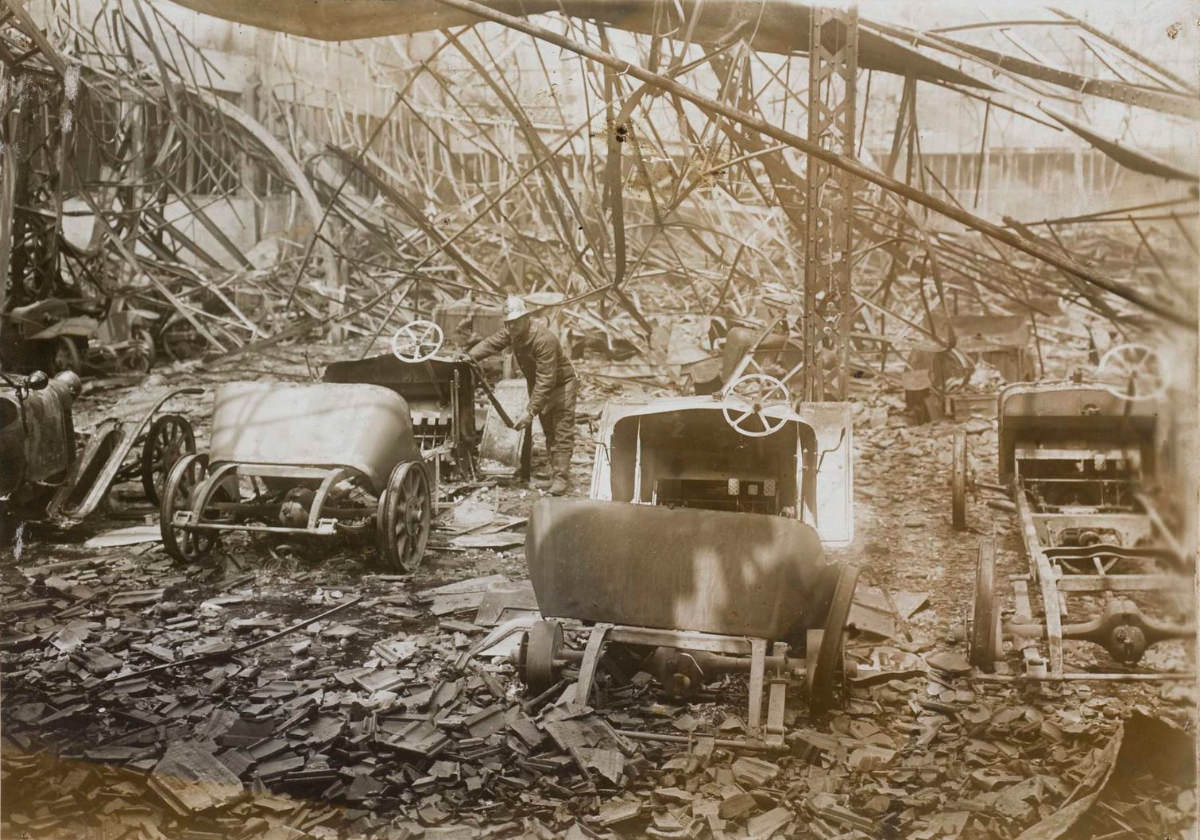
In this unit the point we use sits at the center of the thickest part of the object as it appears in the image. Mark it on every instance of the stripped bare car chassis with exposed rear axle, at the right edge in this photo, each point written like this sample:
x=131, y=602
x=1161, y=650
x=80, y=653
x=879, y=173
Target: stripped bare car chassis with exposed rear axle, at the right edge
x=1078, y=460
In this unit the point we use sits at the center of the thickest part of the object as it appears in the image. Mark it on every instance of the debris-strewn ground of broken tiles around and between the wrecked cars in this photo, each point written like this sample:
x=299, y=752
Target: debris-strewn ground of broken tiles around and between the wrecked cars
x=147, y=700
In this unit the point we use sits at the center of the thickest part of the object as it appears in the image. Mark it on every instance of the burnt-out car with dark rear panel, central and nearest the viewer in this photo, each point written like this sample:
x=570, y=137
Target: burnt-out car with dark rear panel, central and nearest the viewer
x=700, y=553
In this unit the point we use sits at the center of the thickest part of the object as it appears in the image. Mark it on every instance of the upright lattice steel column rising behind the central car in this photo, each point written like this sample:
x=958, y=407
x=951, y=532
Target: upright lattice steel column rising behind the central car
x=833, y=68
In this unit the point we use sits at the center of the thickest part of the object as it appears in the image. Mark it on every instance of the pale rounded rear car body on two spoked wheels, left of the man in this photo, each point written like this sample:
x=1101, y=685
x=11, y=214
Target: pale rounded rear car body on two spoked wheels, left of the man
x=316, y=459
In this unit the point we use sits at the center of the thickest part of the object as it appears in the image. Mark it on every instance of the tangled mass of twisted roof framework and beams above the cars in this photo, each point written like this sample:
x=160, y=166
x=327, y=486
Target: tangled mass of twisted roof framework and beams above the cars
x=715, y=217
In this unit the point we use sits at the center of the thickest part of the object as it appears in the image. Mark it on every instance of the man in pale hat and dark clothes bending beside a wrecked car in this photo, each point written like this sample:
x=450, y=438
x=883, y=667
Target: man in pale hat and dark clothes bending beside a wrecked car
x=553, y=386
